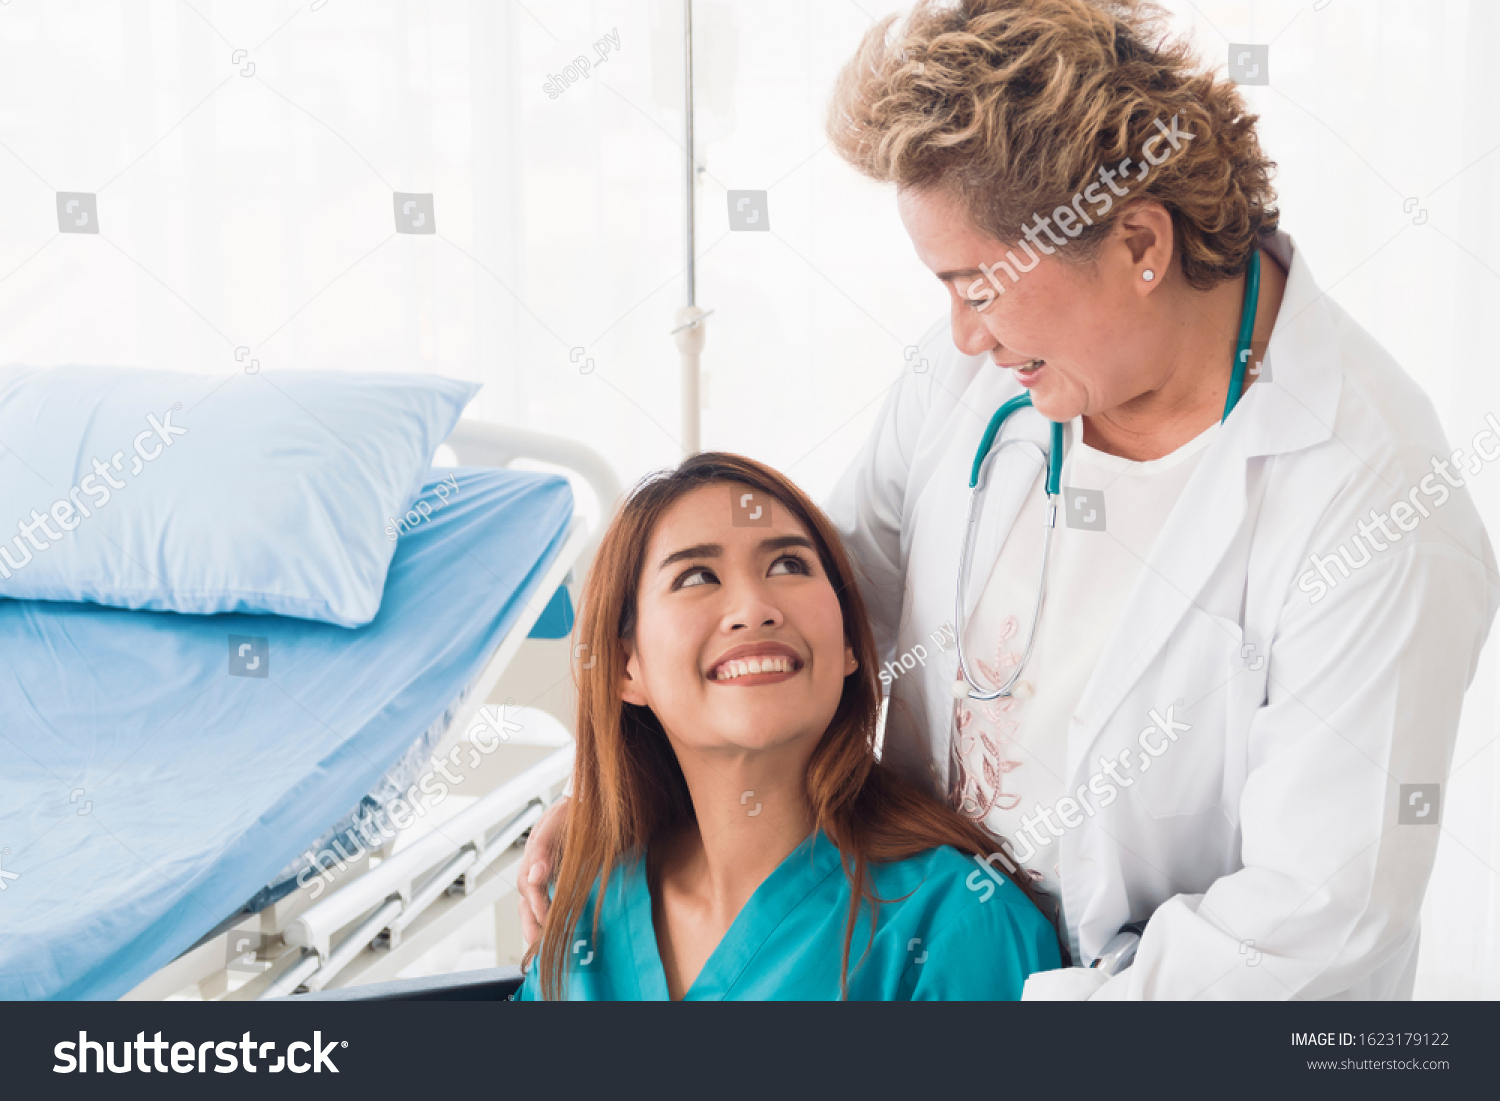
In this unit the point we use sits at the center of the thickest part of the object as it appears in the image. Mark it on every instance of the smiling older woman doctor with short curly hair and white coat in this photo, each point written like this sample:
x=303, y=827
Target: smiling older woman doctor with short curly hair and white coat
x=1265, y=584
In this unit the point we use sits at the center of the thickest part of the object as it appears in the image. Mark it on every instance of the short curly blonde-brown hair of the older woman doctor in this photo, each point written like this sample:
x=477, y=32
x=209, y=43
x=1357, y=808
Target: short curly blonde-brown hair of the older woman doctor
x=1013, y=107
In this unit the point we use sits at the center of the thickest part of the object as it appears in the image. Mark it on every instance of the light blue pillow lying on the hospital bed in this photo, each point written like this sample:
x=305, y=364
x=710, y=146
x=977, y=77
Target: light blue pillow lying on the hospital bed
x=163, y=491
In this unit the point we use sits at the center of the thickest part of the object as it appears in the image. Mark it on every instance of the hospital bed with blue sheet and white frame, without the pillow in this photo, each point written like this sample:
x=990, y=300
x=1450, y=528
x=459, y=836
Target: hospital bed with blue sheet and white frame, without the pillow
x=185, y=833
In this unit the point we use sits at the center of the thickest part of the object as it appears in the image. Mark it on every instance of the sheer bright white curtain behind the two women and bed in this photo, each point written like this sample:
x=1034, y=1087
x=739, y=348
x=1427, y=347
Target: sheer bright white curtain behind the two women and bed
x=245, y=208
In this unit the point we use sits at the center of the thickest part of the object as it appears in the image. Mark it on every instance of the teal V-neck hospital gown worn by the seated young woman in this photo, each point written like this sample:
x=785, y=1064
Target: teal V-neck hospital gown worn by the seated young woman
x=949, y=929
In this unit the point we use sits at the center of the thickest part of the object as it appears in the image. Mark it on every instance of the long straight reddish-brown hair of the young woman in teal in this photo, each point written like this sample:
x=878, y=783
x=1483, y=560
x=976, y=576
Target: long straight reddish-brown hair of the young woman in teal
x=628, y=785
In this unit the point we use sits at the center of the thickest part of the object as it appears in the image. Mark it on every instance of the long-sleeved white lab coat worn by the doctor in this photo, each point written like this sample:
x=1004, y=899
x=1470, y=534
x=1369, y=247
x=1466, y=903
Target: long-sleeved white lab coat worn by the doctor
x=1264, y=842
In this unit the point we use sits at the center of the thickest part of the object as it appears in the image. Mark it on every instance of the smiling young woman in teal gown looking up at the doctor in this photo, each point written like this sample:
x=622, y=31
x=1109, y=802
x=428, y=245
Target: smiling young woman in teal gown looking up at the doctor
x=727, y=785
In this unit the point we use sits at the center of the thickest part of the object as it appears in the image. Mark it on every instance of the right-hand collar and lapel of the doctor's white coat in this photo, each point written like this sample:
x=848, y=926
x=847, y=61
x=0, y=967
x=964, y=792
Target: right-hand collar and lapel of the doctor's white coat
x=1291, y=412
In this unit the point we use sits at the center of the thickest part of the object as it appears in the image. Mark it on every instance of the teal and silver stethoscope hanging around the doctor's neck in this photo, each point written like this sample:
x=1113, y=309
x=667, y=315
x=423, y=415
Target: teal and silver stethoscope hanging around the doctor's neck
x=977, y=476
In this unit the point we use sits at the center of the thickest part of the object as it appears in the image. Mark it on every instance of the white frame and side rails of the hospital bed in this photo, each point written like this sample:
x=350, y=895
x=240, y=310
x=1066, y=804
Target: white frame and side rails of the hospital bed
x=394, y=905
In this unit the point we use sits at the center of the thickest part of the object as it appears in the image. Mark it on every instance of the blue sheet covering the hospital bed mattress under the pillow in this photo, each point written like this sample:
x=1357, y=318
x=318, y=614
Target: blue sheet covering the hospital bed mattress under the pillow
x=155, y=775
